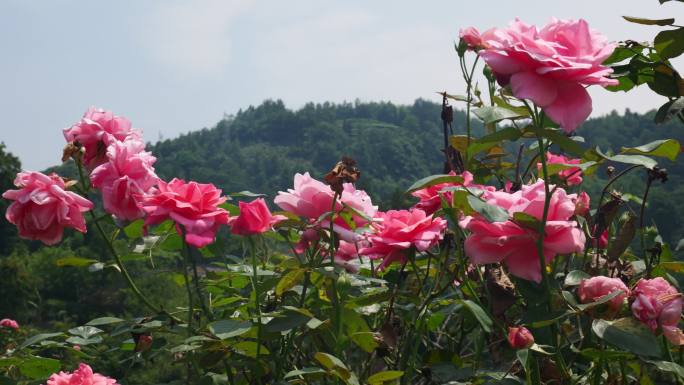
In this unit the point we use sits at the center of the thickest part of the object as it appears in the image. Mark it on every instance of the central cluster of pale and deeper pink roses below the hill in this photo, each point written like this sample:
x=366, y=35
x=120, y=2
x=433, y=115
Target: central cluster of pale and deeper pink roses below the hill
x=362, y=229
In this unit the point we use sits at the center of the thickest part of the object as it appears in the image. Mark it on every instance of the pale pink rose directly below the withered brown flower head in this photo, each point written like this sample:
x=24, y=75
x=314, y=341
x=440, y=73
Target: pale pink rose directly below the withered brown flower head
x=311, y=199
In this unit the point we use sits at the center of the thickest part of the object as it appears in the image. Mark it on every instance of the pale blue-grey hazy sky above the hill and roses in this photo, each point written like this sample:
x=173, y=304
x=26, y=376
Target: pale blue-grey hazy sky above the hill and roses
x=174, y=66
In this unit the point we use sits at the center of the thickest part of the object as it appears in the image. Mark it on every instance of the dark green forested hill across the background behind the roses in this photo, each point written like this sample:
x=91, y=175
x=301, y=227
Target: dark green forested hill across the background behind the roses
x=260, y=148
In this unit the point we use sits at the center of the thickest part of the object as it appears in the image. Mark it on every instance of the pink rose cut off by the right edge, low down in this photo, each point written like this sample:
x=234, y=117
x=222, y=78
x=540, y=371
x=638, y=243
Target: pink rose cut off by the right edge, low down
x=657, y=303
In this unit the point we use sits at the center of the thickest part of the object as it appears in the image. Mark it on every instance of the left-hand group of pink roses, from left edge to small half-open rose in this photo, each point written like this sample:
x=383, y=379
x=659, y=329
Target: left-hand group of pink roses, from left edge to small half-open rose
x=123, y=171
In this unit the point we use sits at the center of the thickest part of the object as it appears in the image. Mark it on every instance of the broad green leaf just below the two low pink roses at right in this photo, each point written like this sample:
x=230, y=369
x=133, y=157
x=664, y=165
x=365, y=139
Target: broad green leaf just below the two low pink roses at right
x=628, y=334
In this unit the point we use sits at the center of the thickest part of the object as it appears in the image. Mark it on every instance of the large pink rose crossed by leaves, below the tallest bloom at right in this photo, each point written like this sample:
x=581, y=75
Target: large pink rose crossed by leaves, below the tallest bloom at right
x=515, y=244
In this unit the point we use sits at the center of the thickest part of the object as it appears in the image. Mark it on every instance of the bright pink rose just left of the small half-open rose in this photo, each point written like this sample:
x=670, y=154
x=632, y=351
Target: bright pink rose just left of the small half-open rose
x=192, y=205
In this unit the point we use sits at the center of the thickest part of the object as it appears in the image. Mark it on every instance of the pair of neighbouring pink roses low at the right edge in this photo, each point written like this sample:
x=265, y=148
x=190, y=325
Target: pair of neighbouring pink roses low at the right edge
x=656, y=303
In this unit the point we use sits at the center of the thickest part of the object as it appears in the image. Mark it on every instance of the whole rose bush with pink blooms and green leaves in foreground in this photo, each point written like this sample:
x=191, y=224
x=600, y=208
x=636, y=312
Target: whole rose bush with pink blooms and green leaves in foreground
x=496, y=275
